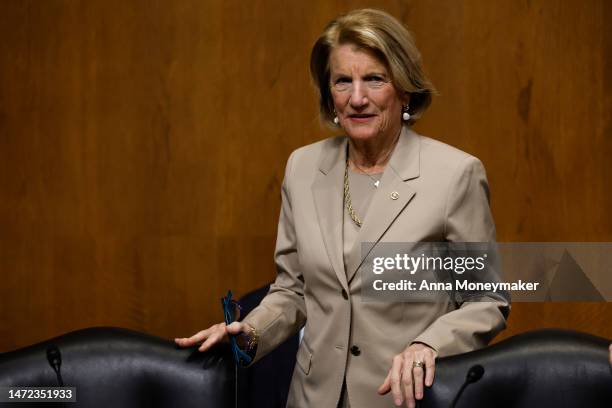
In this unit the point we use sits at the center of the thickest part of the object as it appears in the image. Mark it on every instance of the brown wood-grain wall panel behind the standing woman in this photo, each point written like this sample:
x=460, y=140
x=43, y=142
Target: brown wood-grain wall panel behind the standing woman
x=142, y=145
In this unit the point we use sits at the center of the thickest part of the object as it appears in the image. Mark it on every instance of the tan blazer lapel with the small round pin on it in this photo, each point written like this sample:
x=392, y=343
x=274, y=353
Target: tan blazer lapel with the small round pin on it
x=390, y=199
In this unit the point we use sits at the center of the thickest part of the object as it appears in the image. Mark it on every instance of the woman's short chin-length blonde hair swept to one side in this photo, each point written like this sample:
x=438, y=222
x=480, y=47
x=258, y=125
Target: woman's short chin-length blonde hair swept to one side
x=387, y=39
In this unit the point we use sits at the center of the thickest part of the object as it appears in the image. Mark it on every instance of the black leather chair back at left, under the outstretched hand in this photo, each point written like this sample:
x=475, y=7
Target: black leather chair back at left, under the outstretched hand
x=116, y=368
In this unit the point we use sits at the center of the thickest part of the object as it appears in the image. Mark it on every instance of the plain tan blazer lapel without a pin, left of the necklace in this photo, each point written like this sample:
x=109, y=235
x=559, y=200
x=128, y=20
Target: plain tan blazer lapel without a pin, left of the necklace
x=329, y=202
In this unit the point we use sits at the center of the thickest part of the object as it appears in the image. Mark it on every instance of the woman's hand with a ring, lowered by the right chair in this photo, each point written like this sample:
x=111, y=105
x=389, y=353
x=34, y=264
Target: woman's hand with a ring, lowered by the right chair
x=405, y=379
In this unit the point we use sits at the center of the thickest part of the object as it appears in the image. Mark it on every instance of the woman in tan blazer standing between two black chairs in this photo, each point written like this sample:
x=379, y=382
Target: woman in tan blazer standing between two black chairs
x=380, y=183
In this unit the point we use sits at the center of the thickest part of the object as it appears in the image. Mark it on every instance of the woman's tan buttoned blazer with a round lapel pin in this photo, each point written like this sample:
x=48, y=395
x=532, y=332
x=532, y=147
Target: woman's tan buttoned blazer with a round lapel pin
x=443, y=196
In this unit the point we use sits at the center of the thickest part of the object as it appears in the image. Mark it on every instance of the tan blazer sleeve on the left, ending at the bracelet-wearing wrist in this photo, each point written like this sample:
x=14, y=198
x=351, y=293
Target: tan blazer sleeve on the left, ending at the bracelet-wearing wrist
x=282, y=312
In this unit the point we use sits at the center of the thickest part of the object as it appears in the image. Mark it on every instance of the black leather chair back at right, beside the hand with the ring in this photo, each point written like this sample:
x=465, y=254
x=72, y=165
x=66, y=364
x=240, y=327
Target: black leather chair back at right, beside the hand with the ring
x=545, y=368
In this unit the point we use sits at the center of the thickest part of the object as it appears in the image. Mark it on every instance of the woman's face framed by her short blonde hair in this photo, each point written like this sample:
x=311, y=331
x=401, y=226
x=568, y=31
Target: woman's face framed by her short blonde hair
x=366, y=102
